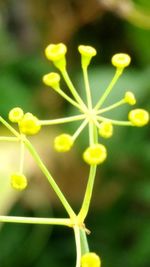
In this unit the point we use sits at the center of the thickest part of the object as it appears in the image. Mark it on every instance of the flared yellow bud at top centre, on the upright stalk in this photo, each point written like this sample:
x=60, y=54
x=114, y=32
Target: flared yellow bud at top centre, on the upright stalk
x=87, y=52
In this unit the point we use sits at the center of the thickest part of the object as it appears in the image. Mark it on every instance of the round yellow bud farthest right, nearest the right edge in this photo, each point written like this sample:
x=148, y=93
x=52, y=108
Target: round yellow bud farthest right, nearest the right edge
x=138, y=117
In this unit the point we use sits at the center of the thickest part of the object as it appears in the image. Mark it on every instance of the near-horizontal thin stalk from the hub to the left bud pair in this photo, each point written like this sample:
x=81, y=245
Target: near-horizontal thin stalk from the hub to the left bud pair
x=62, y=120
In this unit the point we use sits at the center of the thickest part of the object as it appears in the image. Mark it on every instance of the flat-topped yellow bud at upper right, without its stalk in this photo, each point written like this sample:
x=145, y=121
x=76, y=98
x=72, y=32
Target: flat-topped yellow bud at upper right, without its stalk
x=121, y=60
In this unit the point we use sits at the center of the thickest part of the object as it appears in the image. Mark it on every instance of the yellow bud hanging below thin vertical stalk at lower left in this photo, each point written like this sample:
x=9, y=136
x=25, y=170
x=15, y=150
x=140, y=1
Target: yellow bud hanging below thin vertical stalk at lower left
x=18, y=181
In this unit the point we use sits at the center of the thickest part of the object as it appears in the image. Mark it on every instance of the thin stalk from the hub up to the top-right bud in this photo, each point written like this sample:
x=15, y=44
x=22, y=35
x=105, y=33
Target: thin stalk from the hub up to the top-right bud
x=108, y=89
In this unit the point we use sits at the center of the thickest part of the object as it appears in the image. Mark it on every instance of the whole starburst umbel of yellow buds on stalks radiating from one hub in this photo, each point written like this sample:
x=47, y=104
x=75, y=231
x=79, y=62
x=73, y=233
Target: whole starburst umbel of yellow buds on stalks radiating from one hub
x=90, y=115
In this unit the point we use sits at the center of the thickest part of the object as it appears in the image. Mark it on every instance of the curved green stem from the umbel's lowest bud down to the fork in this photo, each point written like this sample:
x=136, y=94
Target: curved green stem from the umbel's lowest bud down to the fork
x=88, y=194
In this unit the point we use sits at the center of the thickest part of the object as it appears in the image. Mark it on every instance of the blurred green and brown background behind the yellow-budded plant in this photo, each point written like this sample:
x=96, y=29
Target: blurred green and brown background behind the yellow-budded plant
x=119, y=218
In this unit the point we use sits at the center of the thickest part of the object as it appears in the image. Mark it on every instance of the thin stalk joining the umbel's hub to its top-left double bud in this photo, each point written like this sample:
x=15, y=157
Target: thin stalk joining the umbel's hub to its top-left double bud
x=72, y=88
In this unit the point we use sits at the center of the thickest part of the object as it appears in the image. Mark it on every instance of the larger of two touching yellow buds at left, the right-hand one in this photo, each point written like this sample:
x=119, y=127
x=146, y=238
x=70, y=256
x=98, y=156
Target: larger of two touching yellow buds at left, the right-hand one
x=30, y=124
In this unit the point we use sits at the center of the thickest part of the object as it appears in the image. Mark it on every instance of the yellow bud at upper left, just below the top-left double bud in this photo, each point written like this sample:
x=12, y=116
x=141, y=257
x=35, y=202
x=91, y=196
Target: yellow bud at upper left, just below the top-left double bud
x=52, y=79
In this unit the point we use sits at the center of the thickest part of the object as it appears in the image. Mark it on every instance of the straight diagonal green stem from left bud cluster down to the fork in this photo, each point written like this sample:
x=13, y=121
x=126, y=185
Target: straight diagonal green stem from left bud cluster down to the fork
x=50, y=179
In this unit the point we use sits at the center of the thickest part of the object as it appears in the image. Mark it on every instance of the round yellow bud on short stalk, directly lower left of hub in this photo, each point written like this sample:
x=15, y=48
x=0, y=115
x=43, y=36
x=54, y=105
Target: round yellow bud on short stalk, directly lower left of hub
x=63, y=142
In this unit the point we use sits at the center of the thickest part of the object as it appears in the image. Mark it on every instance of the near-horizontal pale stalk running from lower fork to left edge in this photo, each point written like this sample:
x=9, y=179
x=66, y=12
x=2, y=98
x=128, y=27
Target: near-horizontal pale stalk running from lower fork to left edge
x=31, y=220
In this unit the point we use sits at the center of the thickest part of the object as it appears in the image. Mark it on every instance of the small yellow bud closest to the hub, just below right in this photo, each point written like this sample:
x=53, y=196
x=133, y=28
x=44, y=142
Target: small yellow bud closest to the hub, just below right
x=106, y=129
